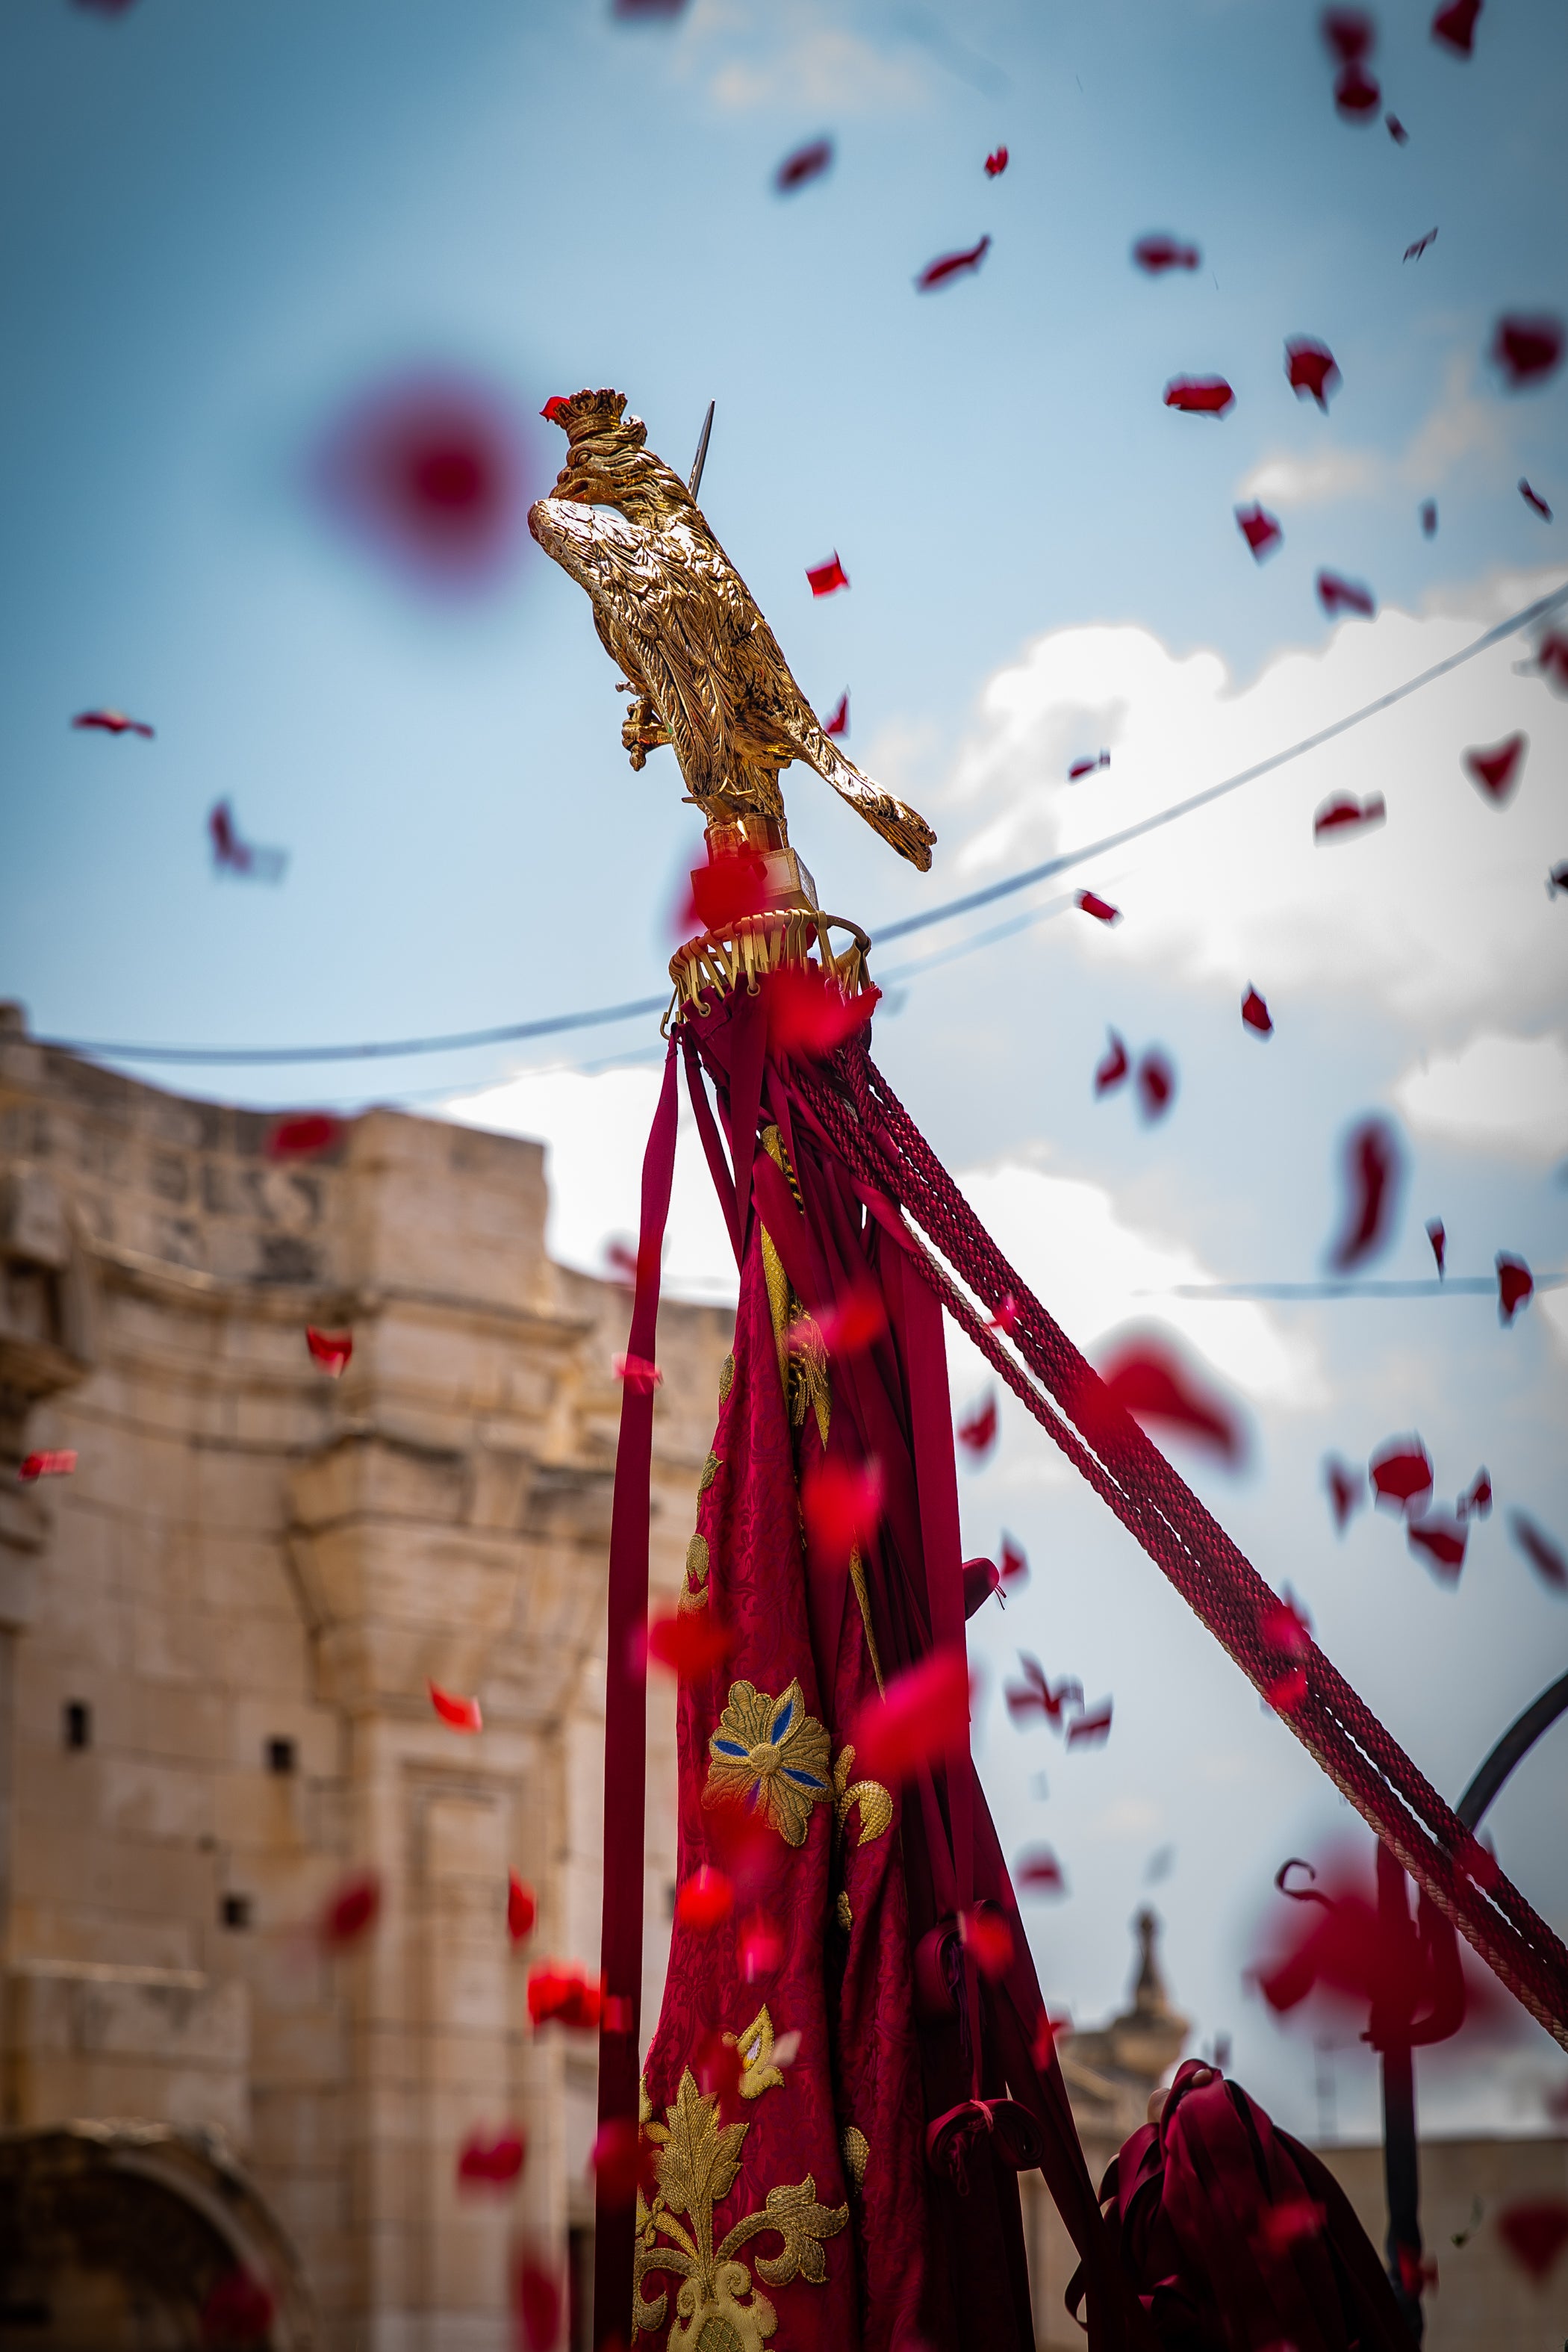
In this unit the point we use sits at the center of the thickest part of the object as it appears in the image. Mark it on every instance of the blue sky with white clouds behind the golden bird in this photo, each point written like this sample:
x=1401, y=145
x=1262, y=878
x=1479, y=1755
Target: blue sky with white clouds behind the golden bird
x=222, y=227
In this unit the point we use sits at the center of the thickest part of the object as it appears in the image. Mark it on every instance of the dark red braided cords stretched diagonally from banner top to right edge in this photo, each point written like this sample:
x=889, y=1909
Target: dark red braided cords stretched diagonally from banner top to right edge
x=878, y=1140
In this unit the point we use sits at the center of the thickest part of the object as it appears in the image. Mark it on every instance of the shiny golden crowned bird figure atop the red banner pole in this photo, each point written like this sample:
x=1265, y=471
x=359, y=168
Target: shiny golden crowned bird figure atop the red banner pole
x=699, y=662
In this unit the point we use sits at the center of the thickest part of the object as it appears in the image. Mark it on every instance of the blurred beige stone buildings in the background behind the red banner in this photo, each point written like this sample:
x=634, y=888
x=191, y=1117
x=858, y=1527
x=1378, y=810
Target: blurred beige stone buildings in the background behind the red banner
x=215, y=1645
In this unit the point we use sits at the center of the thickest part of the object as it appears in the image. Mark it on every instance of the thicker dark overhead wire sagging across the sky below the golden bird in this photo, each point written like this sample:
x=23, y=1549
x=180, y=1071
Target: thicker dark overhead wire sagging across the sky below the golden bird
x=892, y=930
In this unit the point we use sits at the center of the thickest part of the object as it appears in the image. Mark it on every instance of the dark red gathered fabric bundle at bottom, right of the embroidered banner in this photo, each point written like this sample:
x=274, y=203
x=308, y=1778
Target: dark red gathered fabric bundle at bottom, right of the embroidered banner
x=1238, y=2238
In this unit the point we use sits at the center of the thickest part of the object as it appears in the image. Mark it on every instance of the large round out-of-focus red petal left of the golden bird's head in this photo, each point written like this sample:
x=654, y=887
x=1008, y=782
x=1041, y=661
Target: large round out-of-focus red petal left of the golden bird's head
x=431, y=472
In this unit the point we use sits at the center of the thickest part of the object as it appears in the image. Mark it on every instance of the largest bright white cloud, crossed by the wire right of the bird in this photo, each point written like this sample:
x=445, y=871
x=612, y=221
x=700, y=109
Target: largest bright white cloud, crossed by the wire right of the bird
x=1442, y=914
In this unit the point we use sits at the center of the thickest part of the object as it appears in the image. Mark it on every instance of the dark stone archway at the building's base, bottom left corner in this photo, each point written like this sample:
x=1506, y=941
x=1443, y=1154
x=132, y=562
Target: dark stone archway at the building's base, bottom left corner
x=138, y=2238
